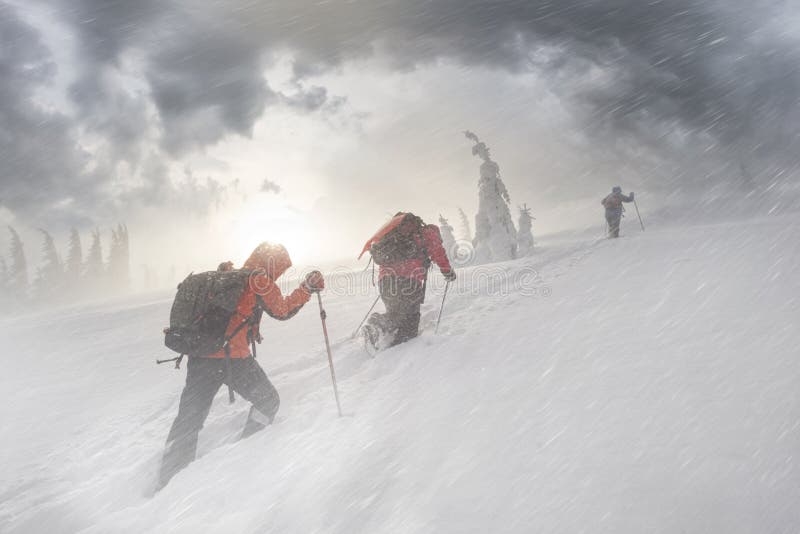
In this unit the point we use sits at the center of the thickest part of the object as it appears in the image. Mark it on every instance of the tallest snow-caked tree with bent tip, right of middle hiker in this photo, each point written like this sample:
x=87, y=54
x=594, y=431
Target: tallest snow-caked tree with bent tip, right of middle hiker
x=495, y=235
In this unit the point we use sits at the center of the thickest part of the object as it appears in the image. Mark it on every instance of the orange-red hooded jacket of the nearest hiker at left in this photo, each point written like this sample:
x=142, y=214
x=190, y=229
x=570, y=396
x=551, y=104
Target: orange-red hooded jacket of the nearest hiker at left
x=268, y=263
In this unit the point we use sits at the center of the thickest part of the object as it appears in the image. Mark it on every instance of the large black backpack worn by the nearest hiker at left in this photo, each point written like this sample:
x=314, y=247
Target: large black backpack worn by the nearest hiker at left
x=203, y=309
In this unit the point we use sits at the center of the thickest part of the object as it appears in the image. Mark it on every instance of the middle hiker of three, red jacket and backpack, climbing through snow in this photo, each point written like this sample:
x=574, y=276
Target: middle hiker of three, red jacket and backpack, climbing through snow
x=403, y=249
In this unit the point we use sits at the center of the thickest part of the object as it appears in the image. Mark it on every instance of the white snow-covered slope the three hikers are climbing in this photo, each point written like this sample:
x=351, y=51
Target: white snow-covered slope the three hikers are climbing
x=647, y=384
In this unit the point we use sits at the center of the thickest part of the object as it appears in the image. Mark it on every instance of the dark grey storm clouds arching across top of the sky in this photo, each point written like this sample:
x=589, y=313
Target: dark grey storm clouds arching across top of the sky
x=713, y=78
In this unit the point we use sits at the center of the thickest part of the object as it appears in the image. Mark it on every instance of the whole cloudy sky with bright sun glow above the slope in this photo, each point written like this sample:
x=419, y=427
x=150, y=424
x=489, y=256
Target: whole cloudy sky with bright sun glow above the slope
x=208, y=127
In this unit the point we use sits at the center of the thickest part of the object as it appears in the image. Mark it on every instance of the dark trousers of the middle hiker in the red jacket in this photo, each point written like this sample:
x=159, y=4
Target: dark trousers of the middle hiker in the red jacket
x=402, y=298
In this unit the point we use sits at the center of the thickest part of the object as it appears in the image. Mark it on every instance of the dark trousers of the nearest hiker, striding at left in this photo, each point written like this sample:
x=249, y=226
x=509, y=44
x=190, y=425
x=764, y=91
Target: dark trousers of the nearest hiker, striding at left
x=204, y=377
